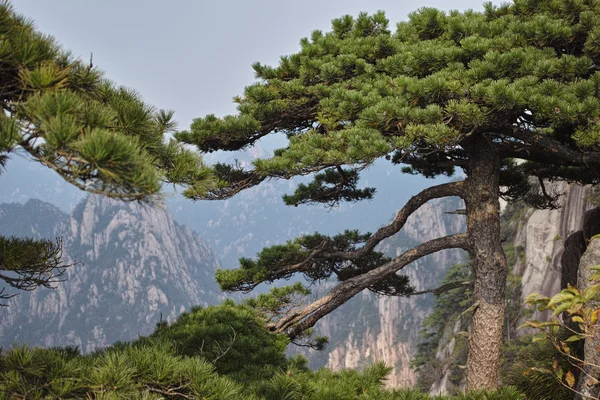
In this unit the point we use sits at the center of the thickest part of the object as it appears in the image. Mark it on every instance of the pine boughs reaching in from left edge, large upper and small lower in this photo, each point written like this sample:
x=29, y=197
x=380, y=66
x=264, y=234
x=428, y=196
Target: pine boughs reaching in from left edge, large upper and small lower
x=99, y=137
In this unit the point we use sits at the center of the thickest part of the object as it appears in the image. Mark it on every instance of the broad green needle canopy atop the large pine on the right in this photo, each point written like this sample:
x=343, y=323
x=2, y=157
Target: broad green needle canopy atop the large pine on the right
x=524, y=74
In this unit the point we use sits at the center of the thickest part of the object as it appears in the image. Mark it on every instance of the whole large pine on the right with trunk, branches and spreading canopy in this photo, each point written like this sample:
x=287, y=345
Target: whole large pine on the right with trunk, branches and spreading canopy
x=468, y=90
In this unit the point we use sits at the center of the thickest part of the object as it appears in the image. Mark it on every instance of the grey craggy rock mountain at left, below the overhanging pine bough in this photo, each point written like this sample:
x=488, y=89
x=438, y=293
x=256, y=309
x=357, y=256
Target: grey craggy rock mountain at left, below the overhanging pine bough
x=137, y=266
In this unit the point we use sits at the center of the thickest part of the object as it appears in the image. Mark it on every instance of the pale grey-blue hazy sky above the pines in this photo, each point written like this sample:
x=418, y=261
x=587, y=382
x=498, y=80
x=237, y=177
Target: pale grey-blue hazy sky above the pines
x=194, y=56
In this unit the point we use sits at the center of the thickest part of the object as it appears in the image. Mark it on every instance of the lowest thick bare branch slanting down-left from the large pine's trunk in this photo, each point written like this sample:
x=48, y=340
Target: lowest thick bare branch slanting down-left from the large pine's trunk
x=296, y=323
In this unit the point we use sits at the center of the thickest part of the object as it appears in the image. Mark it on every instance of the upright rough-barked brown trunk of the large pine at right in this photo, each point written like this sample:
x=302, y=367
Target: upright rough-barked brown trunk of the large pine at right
x=489, y=263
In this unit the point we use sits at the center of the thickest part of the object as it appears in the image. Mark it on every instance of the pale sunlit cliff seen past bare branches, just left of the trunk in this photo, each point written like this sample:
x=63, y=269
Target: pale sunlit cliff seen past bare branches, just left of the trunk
x=372, y=328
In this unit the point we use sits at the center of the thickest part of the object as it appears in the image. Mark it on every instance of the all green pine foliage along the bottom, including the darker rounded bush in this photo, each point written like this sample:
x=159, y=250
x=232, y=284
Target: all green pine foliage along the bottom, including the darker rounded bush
x=194, y=358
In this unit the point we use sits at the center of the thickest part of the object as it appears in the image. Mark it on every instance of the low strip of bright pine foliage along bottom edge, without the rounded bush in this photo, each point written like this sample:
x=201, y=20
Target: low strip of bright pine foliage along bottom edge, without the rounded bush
x=153, y=371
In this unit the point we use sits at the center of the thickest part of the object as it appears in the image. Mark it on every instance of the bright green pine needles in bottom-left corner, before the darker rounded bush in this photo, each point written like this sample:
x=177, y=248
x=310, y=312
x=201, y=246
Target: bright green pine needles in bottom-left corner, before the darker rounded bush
x=143, y=371
